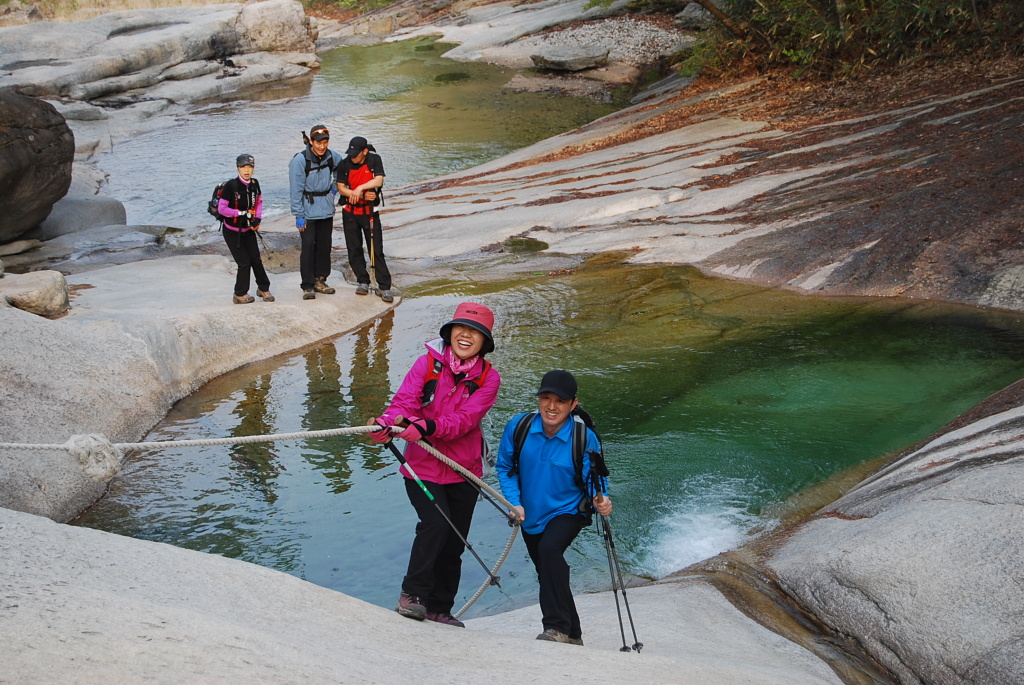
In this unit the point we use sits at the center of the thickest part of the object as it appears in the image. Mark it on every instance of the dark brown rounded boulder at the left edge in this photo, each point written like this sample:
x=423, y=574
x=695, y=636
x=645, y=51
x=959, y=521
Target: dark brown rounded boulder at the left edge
x=37, y=149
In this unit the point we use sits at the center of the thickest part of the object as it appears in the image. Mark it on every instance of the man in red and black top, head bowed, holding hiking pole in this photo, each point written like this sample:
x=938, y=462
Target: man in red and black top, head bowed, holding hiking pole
x=361, y=176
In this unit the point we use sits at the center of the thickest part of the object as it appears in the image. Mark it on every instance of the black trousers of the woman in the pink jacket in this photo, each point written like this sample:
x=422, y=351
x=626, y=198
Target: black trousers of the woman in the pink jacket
x=436, y=563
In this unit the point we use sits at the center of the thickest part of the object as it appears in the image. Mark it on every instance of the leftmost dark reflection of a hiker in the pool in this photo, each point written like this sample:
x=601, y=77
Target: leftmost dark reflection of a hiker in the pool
x=257, y=462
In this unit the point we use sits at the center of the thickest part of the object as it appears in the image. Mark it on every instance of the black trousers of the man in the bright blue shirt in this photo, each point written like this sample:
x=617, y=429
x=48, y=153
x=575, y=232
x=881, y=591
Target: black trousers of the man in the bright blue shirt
x=547, y=549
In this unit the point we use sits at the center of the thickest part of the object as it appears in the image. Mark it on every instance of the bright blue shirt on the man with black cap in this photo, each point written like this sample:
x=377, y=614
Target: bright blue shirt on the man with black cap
x=545, y=486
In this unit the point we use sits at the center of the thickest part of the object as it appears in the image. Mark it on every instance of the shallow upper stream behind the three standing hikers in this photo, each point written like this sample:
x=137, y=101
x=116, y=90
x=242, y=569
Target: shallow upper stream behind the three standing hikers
x=426, y=116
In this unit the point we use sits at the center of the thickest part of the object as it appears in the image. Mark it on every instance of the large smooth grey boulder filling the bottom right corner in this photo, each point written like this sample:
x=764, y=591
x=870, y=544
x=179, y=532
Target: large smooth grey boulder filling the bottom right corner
x=922, y=565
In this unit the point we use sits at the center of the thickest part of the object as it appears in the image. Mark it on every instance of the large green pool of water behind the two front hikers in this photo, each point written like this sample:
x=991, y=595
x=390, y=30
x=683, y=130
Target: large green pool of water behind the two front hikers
x=718, y=402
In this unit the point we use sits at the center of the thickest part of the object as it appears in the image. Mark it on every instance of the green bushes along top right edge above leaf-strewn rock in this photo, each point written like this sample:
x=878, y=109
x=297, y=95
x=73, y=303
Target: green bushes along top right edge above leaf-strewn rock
x=837, y=36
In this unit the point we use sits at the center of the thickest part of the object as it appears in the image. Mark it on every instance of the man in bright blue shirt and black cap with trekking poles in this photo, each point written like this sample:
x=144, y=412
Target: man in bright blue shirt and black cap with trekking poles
x=551, y=498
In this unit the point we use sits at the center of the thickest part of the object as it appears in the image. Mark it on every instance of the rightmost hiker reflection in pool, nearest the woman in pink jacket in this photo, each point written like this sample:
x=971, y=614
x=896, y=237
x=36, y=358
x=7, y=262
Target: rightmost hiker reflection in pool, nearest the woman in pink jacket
x=370, y=377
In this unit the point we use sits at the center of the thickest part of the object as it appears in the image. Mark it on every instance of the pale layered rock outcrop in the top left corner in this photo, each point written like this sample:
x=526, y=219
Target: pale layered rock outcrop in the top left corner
x=114, y=72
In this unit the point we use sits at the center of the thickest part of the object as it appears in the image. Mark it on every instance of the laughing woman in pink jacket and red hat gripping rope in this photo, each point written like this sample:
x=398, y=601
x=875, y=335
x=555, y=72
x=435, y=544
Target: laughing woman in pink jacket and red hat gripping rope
x=444, y=397
